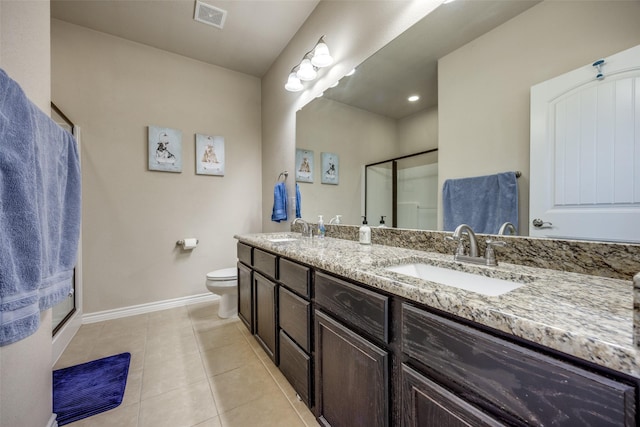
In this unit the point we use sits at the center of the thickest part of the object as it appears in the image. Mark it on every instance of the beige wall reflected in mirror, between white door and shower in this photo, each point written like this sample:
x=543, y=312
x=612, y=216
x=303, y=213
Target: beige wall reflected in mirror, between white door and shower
x=484, y=86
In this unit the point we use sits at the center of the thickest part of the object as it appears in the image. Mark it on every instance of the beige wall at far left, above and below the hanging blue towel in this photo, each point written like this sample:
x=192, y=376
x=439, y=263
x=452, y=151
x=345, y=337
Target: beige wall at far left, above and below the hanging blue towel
x=25, y=366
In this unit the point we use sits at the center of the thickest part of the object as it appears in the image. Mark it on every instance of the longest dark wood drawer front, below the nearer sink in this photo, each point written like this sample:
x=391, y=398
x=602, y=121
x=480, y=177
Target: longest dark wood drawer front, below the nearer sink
x=528, y=386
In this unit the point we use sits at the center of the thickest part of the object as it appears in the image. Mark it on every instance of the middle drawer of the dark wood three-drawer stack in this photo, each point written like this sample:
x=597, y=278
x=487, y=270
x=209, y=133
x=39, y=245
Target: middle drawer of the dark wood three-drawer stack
x=294, y=316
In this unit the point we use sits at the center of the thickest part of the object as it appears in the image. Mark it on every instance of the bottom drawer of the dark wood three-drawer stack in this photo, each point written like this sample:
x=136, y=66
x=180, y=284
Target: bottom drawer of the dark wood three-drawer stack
x=295, y=365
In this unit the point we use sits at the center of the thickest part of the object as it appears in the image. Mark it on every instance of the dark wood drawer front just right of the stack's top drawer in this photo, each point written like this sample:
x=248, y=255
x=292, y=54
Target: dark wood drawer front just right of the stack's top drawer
x=362, y=308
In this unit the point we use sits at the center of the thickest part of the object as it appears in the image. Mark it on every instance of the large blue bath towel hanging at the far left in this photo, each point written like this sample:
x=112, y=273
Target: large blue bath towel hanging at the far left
x=39, y=212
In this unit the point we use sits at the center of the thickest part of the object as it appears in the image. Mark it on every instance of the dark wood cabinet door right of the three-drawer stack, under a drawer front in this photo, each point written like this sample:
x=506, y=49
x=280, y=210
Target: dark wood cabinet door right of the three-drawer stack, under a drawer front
x=352, y=377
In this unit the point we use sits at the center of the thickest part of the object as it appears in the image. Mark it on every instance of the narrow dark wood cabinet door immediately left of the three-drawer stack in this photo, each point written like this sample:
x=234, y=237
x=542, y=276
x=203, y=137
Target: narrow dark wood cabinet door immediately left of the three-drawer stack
x=265, y=314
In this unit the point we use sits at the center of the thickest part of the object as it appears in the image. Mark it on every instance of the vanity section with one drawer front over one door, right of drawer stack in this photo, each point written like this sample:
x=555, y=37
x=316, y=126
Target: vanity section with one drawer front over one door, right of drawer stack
x=352, y=366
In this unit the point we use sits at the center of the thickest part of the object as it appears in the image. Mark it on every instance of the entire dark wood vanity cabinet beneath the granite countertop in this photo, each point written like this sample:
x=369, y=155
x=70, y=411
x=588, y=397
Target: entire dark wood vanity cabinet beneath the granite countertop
x=359, y=356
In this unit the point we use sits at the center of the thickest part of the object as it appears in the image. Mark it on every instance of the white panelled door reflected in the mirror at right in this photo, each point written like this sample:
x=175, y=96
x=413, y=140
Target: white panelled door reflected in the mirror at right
x=585, y=153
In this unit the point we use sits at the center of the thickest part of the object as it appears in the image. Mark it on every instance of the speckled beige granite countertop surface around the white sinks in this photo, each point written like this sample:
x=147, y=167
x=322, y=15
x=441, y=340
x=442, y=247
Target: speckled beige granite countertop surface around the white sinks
x=589, y=317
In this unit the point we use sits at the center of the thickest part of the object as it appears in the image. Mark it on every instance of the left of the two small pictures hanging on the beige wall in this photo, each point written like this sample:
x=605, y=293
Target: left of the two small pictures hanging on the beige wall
x=164, y=149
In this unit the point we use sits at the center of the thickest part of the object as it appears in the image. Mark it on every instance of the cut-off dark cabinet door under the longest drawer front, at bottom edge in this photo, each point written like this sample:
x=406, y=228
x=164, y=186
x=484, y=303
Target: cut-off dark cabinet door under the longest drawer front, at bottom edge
x=425, y=403
